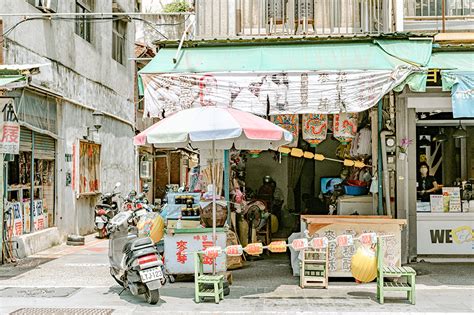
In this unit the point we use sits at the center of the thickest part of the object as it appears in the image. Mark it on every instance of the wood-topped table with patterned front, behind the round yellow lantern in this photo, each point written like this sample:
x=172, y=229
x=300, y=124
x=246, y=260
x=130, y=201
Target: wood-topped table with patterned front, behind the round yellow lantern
x=332, y=226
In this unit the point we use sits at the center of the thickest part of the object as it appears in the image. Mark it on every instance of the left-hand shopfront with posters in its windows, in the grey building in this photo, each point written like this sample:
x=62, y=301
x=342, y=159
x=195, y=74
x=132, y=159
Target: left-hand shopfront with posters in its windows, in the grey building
x=31, y=175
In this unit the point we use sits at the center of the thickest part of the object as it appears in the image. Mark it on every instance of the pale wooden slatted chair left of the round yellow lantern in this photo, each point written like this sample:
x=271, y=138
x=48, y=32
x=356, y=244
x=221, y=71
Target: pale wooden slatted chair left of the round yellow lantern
x=314, y=268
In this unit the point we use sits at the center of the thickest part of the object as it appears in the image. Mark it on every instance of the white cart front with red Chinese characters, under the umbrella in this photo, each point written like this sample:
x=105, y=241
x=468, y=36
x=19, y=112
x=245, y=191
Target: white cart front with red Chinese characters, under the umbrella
x=180, y=249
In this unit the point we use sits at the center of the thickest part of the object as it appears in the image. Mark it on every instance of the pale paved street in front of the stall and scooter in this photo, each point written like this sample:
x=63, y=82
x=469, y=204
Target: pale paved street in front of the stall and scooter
x=77, y=277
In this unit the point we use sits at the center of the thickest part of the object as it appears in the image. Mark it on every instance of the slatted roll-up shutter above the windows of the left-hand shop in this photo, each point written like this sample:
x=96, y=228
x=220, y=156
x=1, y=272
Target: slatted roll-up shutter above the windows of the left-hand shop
x=45, y=146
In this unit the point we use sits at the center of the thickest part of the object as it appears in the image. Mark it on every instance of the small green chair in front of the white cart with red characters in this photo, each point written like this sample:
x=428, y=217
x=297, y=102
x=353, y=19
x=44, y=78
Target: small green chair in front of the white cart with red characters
x=206, y=285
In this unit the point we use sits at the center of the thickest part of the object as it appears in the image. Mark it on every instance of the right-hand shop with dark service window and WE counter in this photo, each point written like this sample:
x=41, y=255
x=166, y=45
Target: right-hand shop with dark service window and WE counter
x=436, y=180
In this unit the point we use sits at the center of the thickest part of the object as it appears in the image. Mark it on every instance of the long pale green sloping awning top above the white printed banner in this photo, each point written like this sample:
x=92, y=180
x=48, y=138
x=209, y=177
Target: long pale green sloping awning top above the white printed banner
x=290, y=57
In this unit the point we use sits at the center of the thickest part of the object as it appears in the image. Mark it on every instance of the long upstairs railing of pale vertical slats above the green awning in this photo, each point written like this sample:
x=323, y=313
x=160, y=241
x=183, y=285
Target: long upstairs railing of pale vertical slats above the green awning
x=252, y=18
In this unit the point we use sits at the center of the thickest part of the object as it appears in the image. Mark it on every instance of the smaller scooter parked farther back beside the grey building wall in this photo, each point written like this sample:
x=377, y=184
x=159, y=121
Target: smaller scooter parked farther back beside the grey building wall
x=105, y=210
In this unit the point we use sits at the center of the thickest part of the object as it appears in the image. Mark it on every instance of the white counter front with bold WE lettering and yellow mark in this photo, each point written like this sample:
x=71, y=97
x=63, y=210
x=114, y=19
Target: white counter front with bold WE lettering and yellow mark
x=445, y=236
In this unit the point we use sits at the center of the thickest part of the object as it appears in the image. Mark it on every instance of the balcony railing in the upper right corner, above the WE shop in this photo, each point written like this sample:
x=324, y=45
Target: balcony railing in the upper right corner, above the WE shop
x=428, y=15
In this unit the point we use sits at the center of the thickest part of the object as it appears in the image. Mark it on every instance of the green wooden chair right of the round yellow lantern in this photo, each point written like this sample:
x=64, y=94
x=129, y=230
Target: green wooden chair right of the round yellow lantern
x=393, y=272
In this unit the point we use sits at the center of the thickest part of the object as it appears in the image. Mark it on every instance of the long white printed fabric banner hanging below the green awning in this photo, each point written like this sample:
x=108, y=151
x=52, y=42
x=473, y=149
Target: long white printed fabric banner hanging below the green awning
x=291, y=92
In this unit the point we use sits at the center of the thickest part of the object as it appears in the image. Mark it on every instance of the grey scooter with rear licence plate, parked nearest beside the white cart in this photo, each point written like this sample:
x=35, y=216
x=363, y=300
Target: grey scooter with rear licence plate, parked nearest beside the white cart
x=135, y=262
